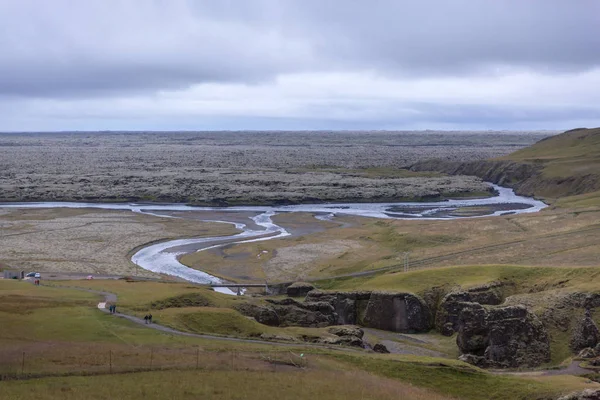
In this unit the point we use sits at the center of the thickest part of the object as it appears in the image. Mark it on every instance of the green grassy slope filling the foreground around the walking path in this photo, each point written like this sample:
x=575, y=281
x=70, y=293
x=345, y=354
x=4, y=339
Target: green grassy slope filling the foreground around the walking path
x=62, y=333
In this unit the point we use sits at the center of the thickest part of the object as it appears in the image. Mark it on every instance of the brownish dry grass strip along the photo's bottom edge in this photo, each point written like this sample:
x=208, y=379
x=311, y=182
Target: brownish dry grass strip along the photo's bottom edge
x=223, y=385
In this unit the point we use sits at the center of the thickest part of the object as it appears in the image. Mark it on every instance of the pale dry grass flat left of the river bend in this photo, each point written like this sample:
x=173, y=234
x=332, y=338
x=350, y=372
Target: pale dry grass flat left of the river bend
x=90, y=240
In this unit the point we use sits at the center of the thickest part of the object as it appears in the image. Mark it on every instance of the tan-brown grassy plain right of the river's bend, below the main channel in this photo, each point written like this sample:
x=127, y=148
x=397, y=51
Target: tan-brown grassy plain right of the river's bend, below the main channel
x=554, y=237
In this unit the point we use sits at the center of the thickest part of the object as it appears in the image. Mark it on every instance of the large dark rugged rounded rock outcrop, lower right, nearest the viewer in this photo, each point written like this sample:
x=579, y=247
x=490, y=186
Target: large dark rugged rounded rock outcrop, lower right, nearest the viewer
x=502, y=337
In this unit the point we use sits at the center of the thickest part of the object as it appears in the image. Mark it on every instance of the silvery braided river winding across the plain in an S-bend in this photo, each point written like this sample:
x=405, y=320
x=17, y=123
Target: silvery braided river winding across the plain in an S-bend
x=163, y=257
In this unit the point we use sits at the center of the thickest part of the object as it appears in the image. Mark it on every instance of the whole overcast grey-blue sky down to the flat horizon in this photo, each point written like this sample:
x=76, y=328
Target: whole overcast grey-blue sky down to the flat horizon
x=299, y=64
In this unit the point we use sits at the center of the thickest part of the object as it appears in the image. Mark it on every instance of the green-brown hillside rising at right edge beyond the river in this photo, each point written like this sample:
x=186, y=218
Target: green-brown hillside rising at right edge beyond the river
x=562, y=169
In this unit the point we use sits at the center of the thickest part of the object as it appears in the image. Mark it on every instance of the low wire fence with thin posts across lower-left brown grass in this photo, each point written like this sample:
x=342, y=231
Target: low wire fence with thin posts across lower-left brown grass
x=65, y=360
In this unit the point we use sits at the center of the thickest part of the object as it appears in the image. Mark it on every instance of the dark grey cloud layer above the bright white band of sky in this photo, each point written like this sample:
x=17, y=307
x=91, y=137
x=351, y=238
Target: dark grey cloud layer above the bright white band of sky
x=90, y=48
